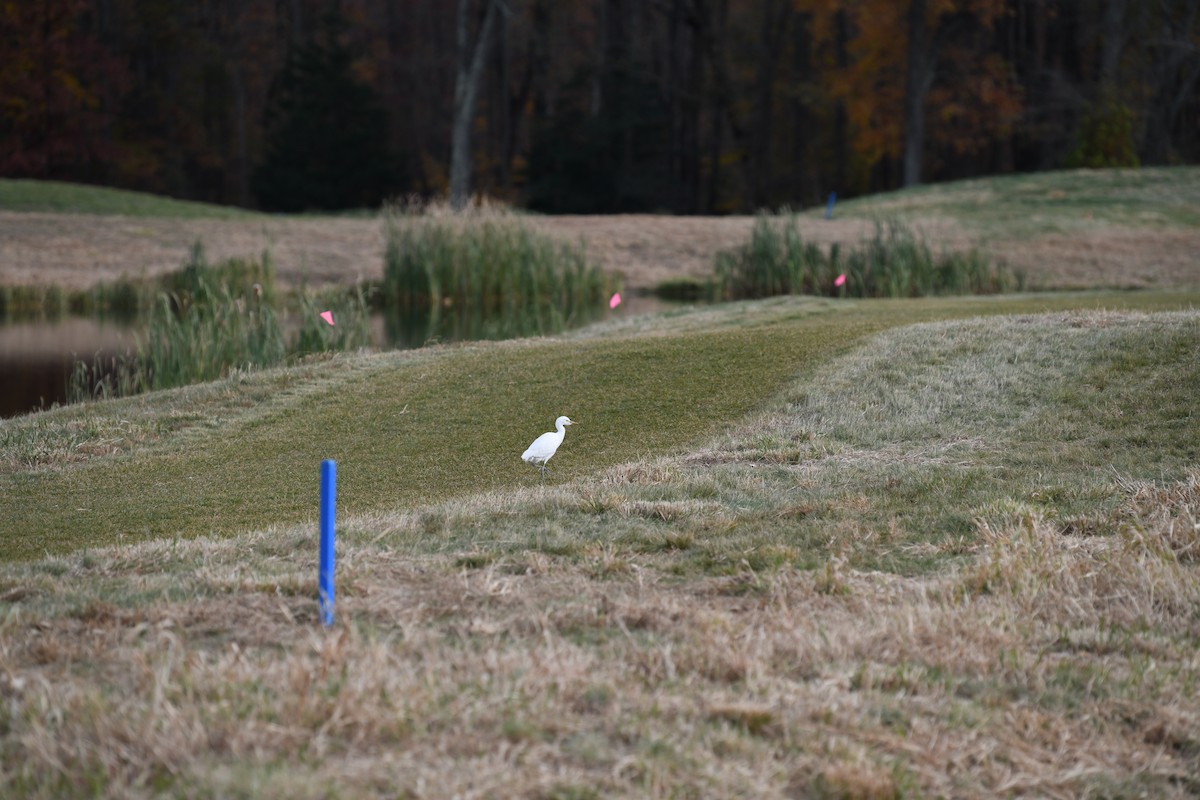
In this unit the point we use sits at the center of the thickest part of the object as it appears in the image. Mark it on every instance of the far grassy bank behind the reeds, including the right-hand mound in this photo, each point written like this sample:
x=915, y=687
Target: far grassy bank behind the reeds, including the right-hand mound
x=1064, y=230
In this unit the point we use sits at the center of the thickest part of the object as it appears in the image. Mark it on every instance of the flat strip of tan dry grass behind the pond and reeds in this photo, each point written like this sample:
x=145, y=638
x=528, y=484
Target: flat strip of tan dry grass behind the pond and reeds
x=79, y=251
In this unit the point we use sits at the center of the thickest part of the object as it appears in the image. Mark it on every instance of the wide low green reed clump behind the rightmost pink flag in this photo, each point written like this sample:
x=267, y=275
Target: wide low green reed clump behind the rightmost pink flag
x=895, y=263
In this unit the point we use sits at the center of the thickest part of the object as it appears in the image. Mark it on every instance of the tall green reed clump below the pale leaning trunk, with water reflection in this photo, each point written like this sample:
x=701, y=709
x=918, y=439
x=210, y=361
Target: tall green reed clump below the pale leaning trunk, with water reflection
x=484, y=278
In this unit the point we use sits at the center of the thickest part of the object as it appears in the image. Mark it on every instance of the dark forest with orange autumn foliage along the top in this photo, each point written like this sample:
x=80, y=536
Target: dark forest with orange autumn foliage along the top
x=587, y=106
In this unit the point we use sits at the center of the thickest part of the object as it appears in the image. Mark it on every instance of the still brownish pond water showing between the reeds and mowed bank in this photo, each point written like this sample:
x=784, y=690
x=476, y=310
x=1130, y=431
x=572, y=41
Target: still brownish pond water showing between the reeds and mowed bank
x=38, y=356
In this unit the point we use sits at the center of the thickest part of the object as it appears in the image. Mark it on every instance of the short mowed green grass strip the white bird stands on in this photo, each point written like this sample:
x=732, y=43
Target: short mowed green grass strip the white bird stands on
x=416, y=429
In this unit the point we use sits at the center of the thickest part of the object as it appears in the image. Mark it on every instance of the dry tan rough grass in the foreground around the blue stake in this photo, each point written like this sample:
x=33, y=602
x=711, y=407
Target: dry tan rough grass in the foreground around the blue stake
x=1047, y=665
